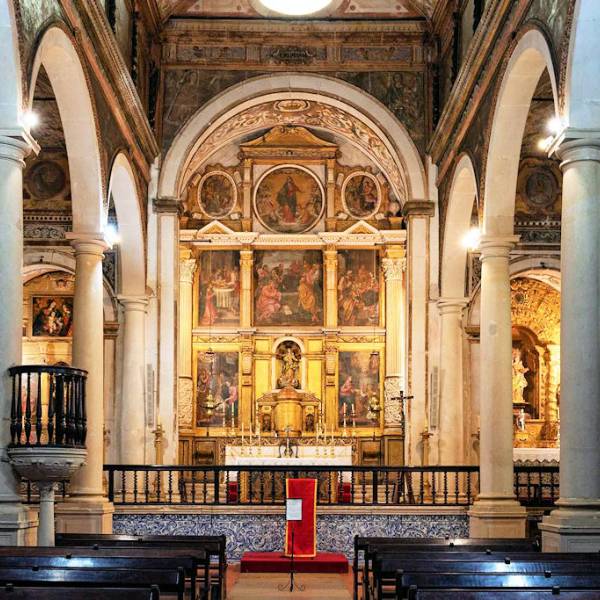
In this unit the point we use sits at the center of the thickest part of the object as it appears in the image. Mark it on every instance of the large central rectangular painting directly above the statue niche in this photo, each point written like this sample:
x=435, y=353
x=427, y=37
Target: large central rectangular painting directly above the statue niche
x=288, y=287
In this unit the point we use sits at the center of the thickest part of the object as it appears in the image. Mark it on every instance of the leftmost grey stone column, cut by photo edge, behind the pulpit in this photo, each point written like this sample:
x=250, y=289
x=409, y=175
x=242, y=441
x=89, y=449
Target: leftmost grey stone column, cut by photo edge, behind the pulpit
x=17, y=525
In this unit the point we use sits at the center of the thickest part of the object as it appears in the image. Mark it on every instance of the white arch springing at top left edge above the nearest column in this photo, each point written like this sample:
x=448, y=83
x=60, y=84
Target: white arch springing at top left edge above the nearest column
x=11, y=96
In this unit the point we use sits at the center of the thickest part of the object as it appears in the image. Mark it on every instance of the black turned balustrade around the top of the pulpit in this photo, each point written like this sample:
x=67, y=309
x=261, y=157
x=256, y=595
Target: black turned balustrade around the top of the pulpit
x=48, y=406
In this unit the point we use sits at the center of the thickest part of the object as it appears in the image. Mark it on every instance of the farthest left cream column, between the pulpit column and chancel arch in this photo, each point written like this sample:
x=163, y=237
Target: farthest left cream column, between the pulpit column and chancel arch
x=132, y=422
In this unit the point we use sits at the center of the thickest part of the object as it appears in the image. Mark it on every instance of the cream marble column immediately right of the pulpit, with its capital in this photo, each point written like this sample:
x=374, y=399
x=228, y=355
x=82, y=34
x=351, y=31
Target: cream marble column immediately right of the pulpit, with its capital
x=88, y=354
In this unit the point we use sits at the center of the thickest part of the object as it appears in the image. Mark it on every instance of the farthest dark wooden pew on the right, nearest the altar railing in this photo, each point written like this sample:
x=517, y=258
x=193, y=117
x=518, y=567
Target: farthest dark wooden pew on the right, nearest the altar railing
x=362, y=543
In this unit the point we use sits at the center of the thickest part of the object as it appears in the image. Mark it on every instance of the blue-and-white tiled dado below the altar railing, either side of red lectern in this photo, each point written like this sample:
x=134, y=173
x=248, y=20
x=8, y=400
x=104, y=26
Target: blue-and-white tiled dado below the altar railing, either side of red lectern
x=264, y=532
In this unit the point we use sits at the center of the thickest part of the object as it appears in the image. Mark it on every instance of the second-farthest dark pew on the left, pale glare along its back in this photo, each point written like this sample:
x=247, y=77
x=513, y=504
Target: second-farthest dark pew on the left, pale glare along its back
x=194, y=561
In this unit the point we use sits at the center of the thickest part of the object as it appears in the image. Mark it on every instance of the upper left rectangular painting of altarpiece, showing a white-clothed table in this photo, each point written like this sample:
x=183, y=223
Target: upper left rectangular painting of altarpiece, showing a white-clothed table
x=219, y=288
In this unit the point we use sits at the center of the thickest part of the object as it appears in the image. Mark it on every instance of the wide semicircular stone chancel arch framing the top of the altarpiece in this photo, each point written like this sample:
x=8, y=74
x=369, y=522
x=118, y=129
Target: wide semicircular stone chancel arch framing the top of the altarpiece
x=356, y=103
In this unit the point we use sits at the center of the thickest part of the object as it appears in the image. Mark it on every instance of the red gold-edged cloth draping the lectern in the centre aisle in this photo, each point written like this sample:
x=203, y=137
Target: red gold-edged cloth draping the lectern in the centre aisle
x=305, y=531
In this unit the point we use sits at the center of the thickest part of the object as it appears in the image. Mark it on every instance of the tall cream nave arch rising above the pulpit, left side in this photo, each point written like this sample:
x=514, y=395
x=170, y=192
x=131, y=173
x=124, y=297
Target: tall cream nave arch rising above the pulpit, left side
x=57, y=54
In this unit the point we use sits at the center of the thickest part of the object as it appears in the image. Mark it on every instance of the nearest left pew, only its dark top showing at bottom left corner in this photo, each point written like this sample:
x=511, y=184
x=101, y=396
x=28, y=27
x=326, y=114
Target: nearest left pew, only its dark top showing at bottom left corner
x=11, y=592
